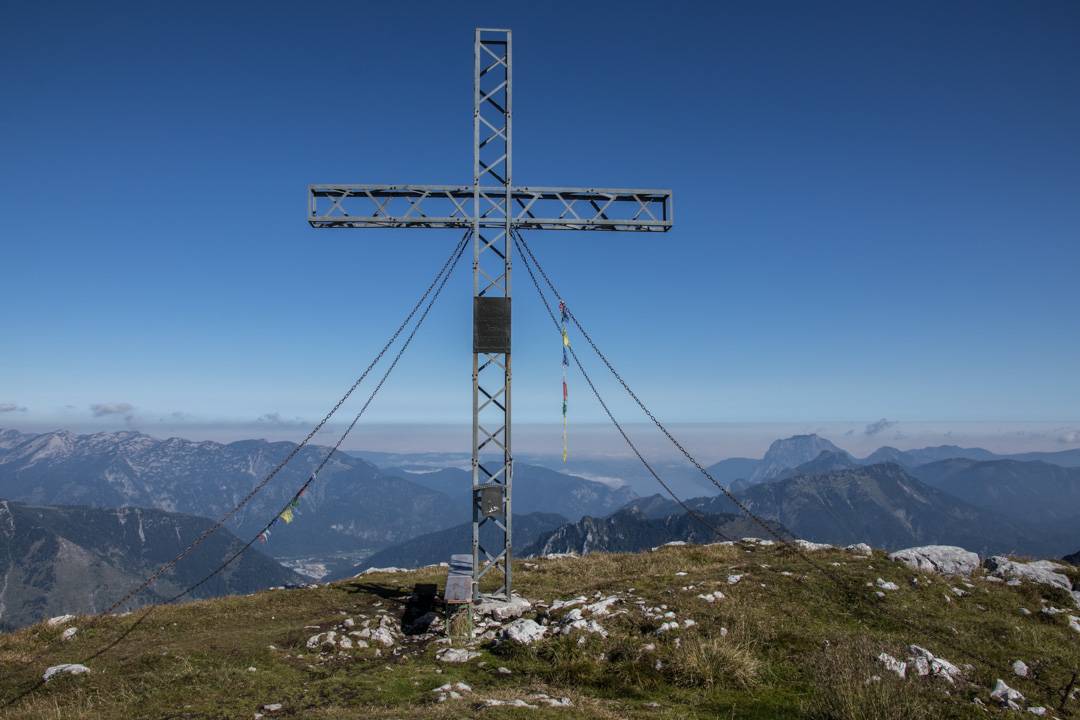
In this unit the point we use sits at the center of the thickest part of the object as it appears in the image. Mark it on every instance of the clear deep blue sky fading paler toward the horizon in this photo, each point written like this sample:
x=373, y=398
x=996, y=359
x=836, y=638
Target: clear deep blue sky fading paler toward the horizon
x=877, y=209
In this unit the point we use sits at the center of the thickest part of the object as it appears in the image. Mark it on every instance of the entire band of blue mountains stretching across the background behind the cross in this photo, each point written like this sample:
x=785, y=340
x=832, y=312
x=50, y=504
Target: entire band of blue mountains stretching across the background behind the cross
x=414, y=511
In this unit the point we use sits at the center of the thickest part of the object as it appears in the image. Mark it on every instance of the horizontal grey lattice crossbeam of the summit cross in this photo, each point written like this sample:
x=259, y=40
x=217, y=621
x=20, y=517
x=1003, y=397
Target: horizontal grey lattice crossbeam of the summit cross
x=452, y=207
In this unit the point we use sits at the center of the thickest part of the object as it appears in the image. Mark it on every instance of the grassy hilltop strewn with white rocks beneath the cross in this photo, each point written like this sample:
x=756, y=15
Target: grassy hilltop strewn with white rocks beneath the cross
x=785, y=642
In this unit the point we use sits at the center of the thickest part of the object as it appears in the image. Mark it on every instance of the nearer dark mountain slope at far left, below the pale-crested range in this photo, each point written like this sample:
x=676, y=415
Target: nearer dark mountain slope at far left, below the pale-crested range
x=56, y=561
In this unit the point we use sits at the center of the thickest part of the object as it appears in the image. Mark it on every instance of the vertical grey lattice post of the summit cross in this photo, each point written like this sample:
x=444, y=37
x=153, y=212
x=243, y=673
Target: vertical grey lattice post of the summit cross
x=492, y=457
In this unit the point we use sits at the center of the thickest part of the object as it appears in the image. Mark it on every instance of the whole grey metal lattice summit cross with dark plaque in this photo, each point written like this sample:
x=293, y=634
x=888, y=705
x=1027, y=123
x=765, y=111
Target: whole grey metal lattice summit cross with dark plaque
x=493, y=210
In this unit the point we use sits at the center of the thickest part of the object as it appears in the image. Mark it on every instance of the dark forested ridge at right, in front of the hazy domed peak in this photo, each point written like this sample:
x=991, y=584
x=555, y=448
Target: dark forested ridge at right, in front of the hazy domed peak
x=834, y=500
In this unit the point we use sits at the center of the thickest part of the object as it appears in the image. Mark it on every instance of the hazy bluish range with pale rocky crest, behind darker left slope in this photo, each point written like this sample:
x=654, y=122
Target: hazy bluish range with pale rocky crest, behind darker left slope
x=355, y=508
